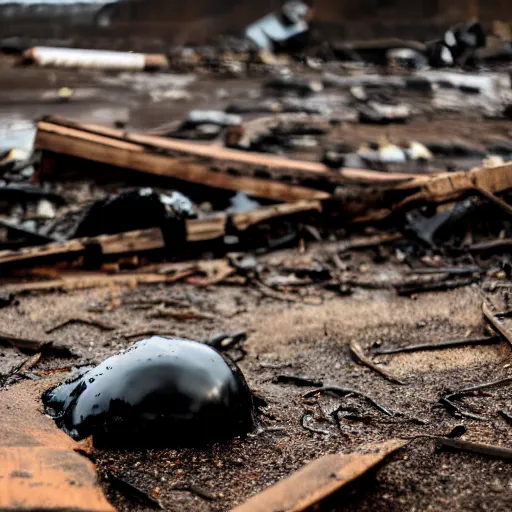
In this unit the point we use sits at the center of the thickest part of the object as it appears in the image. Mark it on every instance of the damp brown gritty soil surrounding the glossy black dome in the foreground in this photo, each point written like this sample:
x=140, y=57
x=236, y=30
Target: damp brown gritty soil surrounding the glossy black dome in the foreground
x=307, y=341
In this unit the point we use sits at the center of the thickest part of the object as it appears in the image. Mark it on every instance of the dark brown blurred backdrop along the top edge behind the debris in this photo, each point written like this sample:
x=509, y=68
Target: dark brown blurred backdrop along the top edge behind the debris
x=198, y=21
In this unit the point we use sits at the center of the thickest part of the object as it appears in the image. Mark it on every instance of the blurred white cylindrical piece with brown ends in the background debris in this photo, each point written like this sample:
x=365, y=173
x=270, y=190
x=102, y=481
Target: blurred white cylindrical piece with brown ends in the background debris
x=45, y=56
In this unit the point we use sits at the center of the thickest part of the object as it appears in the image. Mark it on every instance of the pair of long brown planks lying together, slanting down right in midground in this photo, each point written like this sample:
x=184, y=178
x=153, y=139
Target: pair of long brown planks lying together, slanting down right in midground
x=203, y=164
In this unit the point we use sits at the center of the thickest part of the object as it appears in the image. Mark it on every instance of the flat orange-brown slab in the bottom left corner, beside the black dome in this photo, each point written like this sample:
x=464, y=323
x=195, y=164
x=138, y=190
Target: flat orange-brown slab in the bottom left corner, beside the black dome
x=39, y=467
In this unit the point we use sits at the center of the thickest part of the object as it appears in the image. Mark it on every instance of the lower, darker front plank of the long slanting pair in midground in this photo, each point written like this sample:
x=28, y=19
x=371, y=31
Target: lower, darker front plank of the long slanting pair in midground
x=134, y=156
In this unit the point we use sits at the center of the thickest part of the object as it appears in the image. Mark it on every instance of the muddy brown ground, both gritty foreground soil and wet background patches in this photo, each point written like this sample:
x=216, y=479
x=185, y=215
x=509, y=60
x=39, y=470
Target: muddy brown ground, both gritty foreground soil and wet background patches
x=283, y=338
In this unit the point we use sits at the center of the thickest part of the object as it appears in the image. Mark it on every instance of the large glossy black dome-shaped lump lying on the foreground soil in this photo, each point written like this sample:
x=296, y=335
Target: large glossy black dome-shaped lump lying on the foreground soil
x=166, y=391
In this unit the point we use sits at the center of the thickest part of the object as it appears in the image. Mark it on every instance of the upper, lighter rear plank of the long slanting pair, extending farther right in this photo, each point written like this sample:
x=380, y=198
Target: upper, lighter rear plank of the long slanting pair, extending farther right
x=235, y=158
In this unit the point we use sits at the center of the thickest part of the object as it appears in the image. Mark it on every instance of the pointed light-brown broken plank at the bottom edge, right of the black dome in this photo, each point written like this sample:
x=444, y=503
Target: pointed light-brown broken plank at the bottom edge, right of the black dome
x=318, y=480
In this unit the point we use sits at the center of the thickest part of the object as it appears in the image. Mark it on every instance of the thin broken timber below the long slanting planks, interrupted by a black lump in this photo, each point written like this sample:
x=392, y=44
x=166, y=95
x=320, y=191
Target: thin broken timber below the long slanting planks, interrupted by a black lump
x=152, y=239
